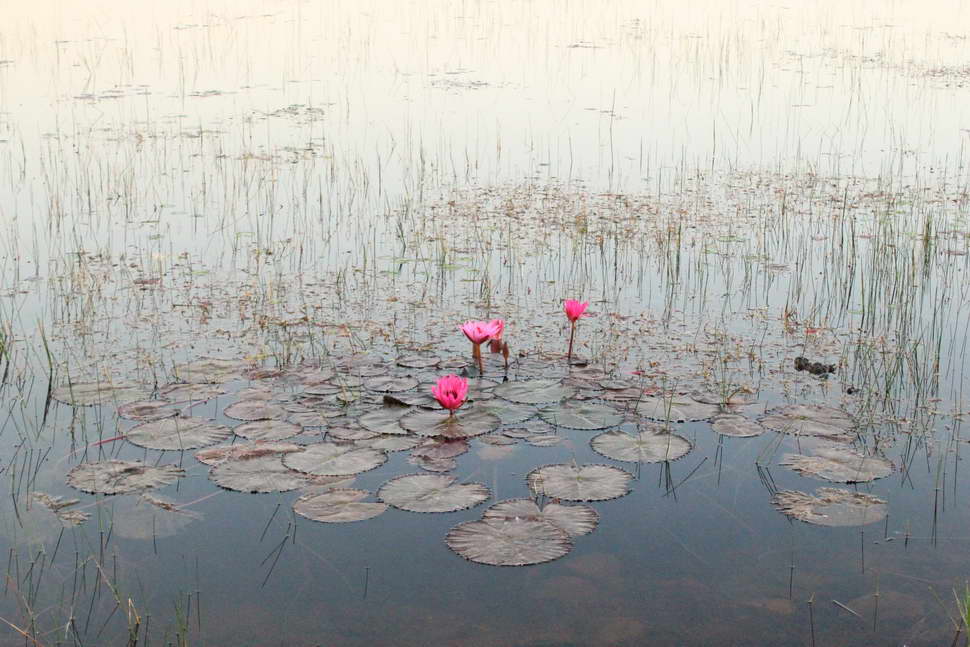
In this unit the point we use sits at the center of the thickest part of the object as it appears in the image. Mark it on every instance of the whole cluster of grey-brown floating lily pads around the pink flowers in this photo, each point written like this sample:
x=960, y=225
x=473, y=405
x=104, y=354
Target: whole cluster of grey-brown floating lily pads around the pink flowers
x=314, y=428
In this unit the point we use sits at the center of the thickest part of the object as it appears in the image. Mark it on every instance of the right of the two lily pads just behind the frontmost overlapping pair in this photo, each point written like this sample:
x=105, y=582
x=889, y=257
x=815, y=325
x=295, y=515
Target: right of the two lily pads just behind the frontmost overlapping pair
x=580, y=482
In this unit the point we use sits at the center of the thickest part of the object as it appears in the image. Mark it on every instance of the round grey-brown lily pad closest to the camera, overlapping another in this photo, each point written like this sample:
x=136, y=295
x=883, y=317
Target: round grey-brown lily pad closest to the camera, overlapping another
x=508, y=542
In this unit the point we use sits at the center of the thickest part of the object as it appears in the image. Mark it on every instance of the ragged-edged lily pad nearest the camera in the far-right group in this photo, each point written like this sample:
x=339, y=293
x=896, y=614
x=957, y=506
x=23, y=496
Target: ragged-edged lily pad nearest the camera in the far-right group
x=831, y=507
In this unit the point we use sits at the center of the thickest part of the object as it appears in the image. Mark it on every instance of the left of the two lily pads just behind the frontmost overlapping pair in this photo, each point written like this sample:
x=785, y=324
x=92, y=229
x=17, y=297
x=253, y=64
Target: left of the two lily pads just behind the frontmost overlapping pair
x=431, y=493
